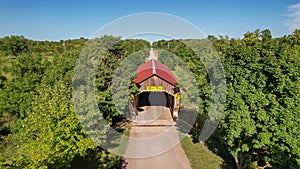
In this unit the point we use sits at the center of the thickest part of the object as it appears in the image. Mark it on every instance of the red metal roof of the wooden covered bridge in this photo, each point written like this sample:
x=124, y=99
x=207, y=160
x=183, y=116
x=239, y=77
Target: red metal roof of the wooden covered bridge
x=154, y=67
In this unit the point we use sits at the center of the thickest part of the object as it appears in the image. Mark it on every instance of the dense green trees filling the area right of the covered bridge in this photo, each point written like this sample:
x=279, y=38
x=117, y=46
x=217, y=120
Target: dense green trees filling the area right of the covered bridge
x=260, y=124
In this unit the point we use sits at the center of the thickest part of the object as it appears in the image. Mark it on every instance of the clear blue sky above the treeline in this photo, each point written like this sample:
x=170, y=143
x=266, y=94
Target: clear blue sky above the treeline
x=56, y=20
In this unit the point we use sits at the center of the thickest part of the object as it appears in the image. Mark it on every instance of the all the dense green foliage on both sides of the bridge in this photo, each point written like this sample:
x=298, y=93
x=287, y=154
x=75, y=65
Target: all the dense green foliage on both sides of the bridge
x=40, y=128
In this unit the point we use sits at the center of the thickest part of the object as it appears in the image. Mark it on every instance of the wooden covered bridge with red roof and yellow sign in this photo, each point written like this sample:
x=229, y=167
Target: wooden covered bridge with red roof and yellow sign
x=157, y=87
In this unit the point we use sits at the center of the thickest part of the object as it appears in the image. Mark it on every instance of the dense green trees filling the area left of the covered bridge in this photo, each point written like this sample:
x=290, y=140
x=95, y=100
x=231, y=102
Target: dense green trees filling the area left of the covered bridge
x=39, y=127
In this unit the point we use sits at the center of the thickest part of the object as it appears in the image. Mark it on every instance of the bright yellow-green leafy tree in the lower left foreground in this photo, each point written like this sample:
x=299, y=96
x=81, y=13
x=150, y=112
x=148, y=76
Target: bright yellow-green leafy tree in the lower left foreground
x=50, y=136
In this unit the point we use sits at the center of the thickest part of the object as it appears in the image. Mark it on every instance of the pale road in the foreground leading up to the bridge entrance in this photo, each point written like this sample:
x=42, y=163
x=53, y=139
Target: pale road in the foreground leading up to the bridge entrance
x=154, y=142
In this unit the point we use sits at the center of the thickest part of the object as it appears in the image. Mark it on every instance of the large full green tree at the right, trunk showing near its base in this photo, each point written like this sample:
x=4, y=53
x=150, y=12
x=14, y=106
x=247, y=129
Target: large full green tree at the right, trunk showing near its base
x=259, y=85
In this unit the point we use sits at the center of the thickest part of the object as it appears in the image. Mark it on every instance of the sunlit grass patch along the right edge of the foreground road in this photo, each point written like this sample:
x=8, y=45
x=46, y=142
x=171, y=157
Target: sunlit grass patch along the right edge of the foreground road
x=200, y=156
